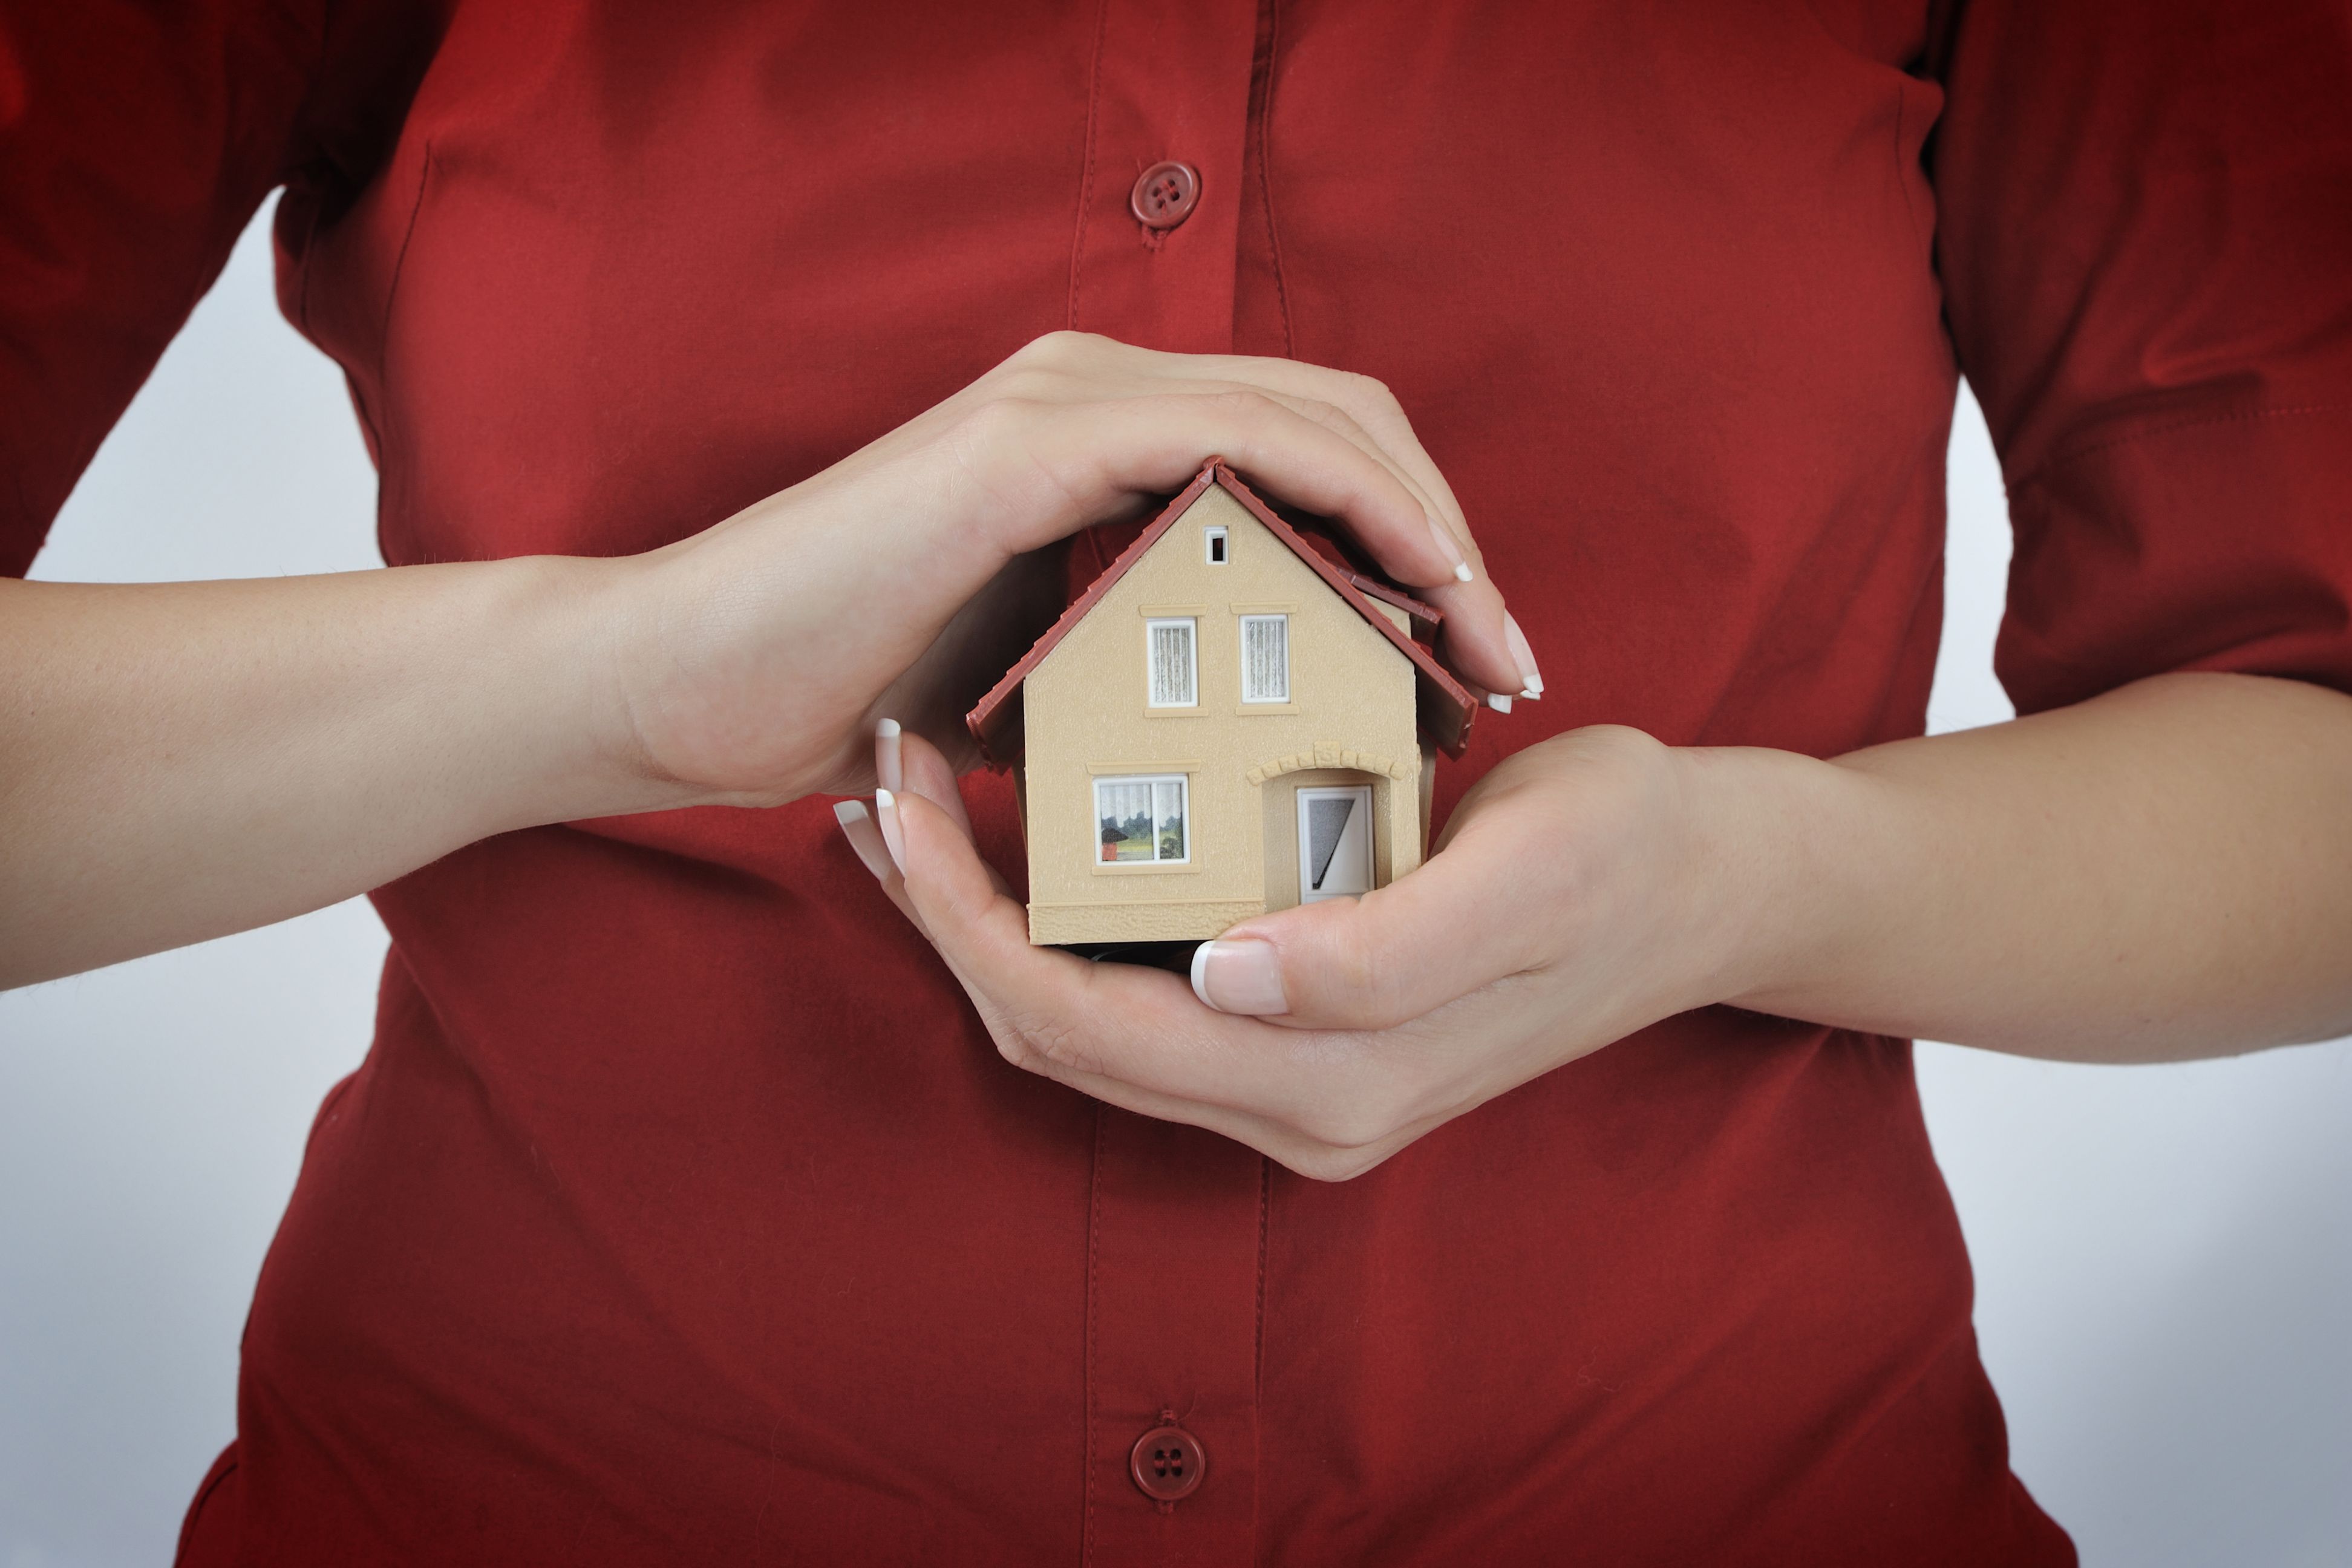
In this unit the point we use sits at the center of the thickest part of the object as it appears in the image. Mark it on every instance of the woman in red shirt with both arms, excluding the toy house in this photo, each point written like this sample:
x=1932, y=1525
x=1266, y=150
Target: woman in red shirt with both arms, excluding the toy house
x=683, y=1209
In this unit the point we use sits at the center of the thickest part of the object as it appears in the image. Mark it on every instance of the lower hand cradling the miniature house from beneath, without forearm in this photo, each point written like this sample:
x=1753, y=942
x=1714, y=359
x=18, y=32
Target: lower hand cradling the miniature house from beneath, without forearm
x=1570, y=904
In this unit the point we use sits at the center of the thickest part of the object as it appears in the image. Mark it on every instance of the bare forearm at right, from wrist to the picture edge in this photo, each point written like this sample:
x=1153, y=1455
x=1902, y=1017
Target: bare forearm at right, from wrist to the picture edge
x=2158, y=873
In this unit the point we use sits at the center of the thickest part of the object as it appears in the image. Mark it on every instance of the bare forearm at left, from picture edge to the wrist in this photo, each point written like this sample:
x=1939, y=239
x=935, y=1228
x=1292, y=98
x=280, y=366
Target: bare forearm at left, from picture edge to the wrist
x=201, y=758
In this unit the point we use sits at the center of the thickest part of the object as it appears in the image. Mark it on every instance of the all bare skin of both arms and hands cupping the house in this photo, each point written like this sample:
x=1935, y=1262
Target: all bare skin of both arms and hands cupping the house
x=2151, y=876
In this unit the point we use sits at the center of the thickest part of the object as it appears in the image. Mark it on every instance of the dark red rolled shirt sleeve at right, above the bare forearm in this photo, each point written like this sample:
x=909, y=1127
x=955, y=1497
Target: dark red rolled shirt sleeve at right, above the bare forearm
x=2146, y=246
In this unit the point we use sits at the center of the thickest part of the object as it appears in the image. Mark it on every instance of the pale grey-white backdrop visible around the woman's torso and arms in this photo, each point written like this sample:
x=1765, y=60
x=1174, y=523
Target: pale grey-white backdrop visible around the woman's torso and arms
x=2165, y=1254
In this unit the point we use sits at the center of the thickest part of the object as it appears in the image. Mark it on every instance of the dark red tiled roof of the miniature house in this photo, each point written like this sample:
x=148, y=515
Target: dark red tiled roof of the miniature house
x=1443, y=704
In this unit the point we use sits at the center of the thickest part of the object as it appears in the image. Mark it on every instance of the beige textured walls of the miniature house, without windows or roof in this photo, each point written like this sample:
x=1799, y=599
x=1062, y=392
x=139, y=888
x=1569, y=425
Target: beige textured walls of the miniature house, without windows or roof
x=1351, y=718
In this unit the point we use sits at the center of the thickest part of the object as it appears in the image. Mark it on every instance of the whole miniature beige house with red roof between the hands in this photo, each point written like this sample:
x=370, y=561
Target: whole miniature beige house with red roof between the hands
x=1229, y=721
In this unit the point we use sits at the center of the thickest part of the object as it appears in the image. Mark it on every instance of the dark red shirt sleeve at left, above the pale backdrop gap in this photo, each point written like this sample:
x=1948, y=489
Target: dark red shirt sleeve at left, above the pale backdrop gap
x=135, y=145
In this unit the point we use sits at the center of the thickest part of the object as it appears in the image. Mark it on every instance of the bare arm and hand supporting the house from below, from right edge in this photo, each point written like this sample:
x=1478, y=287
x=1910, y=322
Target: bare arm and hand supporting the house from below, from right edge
x=2151, y=876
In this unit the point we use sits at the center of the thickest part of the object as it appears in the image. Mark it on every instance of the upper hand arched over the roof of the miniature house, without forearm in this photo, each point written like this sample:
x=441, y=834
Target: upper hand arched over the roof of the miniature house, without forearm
x=754, y=659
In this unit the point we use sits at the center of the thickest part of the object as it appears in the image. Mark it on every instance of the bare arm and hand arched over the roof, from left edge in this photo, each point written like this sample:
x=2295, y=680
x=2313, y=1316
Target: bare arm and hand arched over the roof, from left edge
x=201, y=758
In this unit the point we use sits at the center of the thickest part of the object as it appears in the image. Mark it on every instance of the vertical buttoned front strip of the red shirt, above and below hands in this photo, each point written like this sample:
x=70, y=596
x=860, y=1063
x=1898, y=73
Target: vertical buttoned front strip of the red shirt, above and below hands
x=1177, y=1221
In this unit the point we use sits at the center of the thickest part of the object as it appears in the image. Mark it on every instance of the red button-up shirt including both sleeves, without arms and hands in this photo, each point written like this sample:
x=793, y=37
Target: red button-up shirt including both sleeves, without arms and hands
x=683, y=1212
